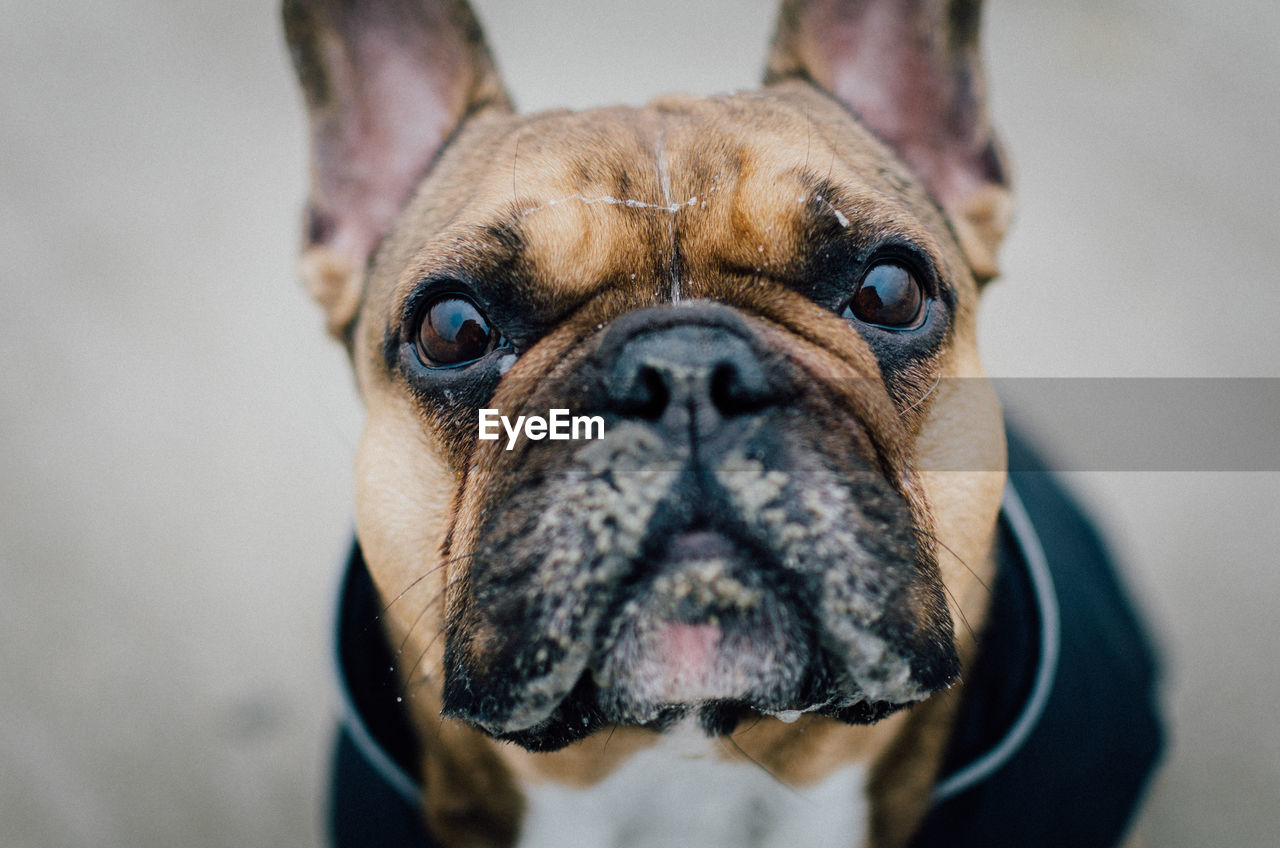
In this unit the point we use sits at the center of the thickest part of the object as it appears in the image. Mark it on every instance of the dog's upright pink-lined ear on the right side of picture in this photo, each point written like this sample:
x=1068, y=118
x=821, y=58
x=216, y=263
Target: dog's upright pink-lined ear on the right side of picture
x=911, y=70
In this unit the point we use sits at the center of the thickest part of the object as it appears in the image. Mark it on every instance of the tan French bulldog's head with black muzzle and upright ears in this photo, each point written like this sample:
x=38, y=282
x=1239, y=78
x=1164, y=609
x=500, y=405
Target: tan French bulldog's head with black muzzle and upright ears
x=760, y=297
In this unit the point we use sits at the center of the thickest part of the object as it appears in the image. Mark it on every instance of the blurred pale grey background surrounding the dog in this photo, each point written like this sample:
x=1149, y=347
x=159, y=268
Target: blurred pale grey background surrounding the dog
x=176, y=432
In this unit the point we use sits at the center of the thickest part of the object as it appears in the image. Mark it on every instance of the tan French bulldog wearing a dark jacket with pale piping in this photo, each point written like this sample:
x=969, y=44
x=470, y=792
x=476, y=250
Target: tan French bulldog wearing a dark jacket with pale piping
x=783, y=595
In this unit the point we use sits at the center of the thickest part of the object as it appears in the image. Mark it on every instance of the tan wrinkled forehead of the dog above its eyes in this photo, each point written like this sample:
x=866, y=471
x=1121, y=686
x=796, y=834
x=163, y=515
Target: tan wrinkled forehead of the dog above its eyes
x=575, y=203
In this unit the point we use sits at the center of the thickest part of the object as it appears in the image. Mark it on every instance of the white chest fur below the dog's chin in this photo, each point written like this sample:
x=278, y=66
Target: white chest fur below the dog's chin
x=684, y=794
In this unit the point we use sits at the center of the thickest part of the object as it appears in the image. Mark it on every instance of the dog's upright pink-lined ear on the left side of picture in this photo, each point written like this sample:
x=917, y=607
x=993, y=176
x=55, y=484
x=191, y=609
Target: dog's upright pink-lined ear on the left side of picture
x=386, y=84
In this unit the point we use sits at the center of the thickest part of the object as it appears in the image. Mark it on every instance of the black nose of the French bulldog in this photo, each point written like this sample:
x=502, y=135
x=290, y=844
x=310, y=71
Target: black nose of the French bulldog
x=688, y=370
